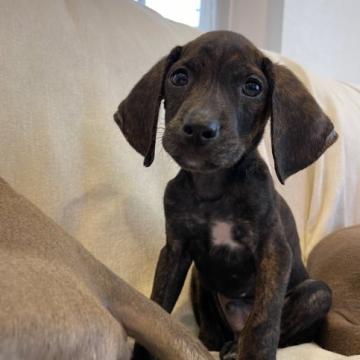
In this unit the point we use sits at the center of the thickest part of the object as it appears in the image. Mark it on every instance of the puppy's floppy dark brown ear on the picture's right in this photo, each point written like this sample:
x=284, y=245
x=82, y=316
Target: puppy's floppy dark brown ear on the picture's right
x=300, y=130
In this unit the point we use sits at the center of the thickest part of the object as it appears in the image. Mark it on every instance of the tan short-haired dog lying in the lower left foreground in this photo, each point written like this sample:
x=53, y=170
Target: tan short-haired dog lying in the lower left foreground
x=58, y=302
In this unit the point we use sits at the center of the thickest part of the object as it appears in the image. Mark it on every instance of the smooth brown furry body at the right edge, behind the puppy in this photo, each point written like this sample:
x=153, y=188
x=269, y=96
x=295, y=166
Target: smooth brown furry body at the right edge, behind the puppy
x=336, y=260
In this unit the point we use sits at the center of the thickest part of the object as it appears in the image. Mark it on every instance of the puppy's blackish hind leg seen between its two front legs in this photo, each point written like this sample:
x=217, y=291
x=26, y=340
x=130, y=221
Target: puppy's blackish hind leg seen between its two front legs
x=213, y=332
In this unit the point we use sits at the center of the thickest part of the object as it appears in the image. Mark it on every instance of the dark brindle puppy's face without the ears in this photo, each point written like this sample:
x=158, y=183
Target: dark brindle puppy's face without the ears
x=216, y=100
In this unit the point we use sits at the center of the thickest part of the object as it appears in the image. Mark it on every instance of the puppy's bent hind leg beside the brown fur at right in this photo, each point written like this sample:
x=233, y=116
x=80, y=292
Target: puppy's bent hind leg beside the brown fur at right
x=304, y=310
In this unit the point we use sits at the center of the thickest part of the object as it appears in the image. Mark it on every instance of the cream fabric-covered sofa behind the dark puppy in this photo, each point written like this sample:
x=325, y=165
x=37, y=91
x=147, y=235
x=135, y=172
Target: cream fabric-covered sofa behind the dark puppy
x=64, y=67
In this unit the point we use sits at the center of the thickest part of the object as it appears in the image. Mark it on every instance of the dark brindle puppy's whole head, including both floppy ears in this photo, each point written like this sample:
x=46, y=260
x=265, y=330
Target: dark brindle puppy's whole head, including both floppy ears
x=218, y=92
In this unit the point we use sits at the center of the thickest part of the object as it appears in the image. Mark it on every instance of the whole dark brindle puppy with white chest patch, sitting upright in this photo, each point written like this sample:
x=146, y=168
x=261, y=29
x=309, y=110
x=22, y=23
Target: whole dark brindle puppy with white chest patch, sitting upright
x=249, y=285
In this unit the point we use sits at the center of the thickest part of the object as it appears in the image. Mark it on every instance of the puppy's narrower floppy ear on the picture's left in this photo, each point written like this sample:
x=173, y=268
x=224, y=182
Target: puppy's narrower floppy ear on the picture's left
x=137, y=115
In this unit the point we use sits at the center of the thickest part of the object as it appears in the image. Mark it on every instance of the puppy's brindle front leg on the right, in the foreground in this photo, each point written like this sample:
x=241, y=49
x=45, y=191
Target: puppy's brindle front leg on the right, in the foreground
x=260, y=337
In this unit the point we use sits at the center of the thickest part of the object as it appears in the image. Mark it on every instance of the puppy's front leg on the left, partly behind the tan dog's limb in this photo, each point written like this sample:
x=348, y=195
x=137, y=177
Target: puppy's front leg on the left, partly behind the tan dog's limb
x=172, y=267
